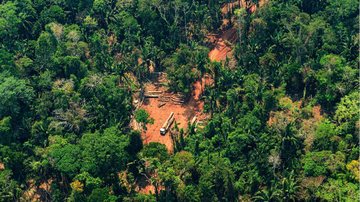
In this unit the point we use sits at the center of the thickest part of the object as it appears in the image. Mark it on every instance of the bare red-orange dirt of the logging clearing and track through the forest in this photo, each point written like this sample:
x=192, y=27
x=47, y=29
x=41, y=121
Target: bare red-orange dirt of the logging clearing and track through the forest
x=195, y=106
